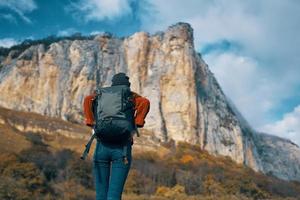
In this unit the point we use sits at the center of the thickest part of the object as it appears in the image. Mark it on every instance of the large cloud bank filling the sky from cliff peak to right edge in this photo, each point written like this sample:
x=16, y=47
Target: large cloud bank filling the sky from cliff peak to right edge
x=265, y=71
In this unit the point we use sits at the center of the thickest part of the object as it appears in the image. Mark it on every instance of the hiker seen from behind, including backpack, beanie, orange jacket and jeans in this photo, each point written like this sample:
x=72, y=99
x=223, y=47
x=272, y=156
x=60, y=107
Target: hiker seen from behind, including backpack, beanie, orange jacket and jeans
x=115, y=113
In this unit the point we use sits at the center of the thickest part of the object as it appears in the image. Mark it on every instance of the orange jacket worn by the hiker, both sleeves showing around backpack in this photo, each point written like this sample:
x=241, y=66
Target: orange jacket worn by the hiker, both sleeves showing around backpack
x=141, y=106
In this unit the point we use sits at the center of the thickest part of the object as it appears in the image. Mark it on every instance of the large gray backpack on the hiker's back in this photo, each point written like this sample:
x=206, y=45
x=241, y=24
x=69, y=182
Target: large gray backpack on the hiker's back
x=113, y=110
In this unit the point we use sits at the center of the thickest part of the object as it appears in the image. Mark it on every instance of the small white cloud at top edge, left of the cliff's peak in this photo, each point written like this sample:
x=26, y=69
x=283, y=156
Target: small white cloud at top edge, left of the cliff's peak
x=97, y=10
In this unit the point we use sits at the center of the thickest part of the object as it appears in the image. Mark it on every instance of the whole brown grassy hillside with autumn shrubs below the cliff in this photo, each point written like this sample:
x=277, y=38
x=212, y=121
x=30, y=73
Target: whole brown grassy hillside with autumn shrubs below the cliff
x=40, y=160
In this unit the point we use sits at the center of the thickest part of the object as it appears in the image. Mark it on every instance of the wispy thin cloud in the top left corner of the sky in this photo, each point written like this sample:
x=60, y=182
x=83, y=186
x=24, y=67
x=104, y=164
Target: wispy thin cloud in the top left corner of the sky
x=20, y=7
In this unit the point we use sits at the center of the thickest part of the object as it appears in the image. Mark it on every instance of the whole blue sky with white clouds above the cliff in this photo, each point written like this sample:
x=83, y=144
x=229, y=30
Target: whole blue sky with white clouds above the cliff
x=251, y=46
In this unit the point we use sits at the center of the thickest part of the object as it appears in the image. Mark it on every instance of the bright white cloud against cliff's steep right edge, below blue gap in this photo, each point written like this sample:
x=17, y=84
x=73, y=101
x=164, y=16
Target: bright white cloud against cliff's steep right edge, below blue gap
x=242, y=81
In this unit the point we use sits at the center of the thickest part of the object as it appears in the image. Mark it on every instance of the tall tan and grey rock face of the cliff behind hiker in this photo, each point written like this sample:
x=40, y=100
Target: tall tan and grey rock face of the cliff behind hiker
x=187, y=103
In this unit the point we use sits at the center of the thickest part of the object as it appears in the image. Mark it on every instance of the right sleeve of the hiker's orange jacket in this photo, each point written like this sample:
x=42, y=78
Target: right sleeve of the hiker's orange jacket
x=142, y=107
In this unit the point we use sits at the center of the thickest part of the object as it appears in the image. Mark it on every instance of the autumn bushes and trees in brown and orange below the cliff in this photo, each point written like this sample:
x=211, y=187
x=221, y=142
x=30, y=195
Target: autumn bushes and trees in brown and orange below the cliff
x=185, y=173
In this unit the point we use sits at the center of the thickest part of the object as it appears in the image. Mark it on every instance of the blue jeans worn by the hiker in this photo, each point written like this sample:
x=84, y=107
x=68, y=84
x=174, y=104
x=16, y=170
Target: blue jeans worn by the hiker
x=110, y=170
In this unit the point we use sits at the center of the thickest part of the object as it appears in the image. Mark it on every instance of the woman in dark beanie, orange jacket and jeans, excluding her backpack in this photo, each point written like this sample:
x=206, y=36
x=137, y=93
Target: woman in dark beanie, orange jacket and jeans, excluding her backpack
x=109, y=167
